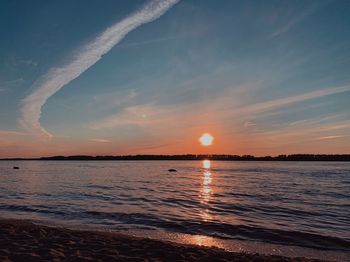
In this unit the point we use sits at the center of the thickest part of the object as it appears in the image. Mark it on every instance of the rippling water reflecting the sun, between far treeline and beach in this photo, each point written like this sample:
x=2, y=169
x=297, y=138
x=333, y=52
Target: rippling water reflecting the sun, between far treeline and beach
x=290, y=203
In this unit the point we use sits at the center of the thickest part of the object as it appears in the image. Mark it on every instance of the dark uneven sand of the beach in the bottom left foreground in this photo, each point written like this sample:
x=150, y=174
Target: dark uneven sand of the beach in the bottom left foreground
x=24, y=241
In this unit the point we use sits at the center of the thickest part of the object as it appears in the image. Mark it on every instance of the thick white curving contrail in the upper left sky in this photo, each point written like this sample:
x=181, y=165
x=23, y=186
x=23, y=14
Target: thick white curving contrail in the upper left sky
x=91, y=53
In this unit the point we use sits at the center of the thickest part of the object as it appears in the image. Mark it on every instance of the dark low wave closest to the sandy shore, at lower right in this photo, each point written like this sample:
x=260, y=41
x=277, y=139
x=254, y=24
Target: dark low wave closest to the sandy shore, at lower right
x=242, y=232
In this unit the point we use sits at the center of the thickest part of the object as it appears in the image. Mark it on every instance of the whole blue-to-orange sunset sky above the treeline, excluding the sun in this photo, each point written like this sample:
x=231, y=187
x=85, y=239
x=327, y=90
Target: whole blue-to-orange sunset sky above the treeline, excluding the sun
x=149, y=77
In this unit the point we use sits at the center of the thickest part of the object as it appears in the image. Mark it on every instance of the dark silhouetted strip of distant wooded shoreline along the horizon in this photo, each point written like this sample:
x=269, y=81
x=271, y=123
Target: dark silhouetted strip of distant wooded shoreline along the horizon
x=193, y=157
